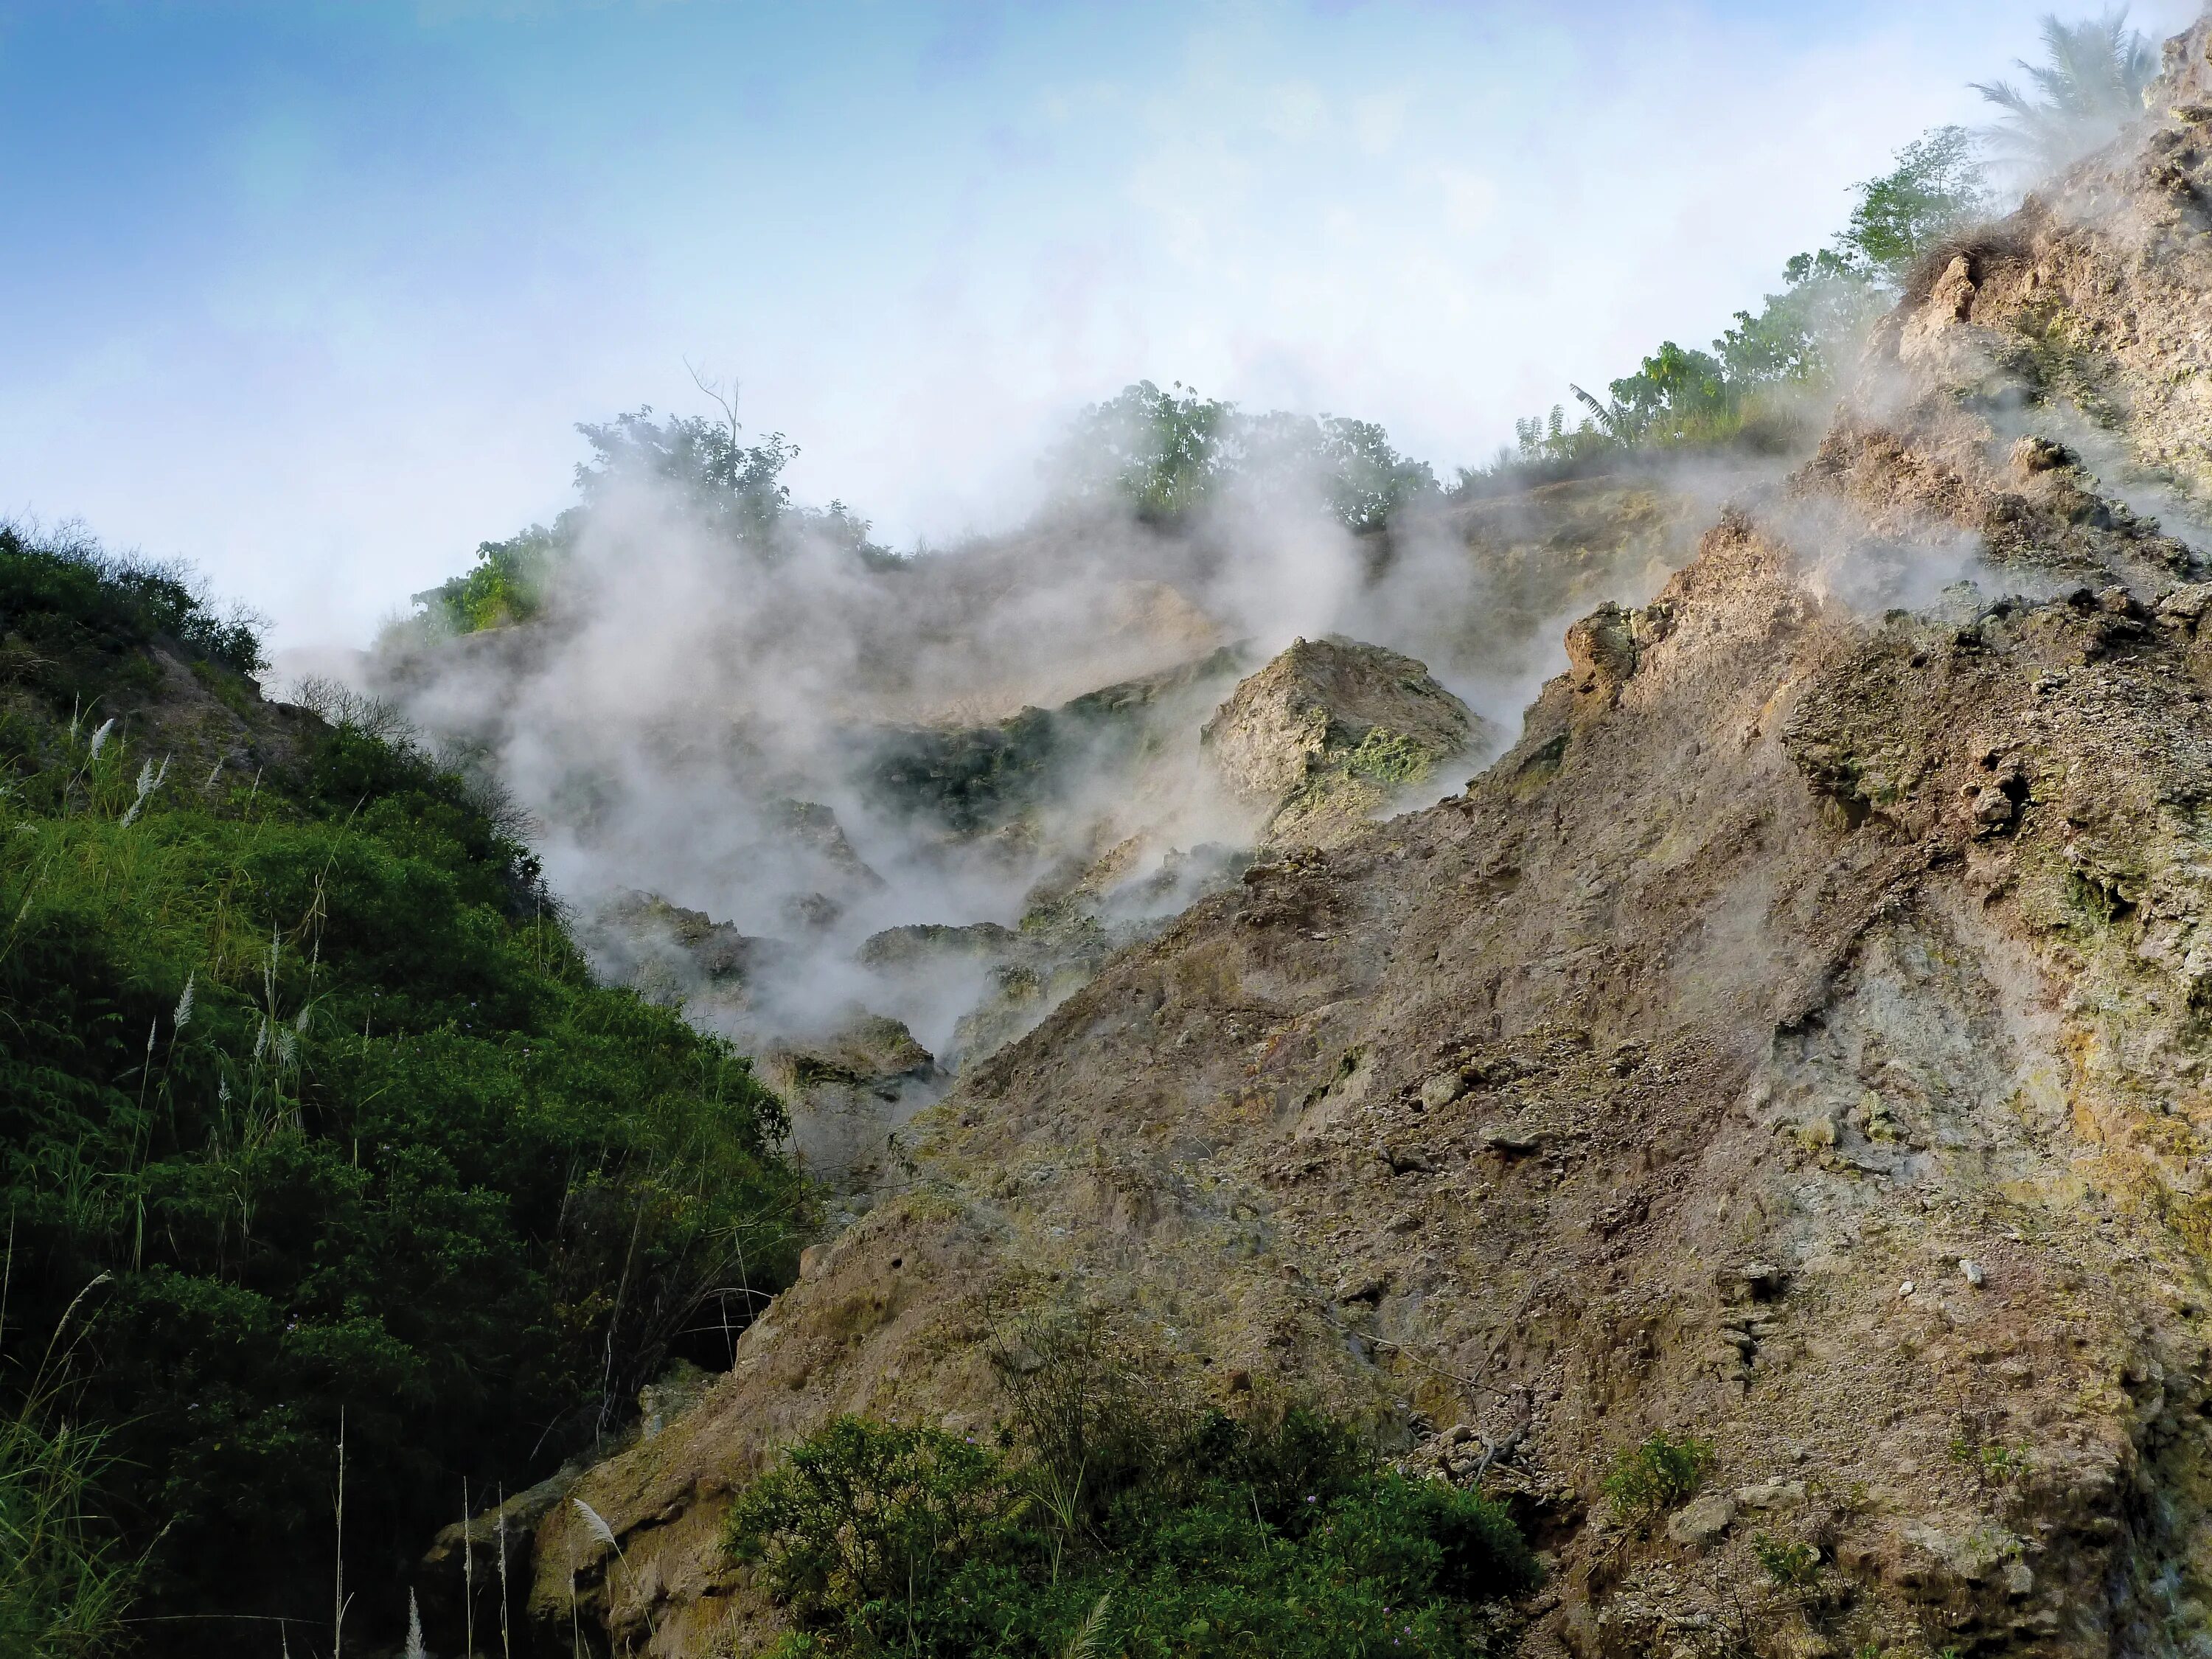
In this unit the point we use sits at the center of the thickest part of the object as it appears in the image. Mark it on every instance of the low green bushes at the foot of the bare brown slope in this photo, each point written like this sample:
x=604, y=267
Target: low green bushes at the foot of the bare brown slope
x=1118, y=1516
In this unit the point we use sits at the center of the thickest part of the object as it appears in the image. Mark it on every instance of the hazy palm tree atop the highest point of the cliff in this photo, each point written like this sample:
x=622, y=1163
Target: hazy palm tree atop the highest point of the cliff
x=2094, y=83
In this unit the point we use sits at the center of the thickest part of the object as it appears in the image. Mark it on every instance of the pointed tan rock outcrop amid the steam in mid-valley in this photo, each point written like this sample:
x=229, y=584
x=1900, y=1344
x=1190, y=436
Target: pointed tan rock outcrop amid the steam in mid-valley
x=1331, y=733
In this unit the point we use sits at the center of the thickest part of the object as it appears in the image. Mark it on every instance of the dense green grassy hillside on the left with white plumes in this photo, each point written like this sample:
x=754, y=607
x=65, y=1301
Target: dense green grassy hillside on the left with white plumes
x=306, y=1078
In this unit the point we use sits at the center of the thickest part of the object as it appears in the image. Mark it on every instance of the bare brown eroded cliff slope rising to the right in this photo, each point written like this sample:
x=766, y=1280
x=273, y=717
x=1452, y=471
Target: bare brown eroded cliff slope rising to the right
x=1799, y=1039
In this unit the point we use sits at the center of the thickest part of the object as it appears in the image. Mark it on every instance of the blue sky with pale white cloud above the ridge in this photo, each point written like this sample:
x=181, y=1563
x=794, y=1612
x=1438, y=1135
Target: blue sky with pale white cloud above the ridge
x=313, y=293
